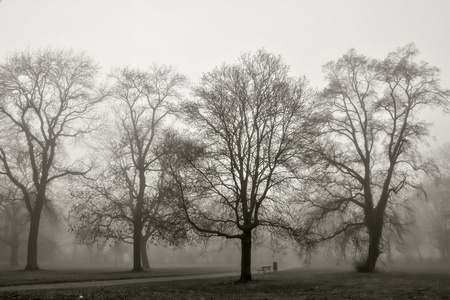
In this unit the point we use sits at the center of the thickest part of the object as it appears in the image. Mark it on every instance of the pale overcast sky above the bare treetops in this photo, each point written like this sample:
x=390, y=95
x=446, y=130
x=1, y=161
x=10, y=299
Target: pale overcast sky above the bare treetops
x=197, y=35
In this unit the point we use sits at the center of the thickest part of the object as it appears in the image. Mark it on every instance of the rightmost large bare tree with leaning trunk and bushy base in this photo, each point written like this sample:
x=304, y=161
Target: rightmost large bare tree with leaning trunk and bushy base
x=369, y=152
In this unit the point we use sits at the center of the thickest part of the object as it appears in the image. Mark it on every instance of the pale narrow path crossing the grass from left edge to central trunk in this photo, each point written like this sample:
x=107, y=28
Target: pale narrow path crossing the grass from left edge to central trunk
x=102, y=283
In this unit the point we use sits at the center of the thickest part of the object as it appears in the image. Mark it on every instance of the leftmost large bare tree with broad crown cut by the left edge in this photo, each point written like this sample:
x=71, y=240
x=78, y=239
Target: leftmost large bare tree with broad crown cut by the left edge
x=46, y=97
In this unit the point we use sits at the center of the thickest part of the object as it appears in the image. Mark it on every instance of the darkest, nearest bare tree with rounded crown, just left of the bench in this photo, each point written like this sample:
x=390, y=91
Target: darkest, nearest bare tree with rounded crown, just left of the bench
x=249, y=120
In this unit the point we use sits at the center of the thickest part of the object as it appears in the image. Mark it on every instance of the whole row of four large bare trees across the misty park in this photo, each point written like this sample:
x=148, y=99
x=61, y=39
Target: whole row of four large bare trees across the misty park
x=248, y=149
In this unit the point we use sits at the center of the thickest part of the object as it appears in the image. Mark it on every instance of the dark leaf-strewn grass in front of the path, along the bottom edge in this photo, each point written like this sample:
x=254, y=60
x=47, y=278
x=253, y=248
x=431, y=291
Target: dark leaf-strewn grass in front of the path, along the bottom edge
x=291, y=284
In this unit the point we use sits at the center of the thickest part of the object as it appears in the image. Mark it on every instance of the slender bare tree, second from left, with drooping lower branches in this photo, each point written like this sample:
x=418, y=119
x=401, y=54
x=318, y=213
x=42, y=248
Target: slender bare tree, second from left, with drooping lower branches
x=128, y=197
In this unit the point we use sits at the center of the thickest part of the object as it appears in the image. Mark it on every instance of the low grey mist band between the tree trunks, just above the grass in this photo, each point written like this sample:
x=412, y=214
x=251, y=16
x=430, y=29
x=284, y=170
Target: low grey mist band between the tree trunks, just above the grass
x=423, y=245
